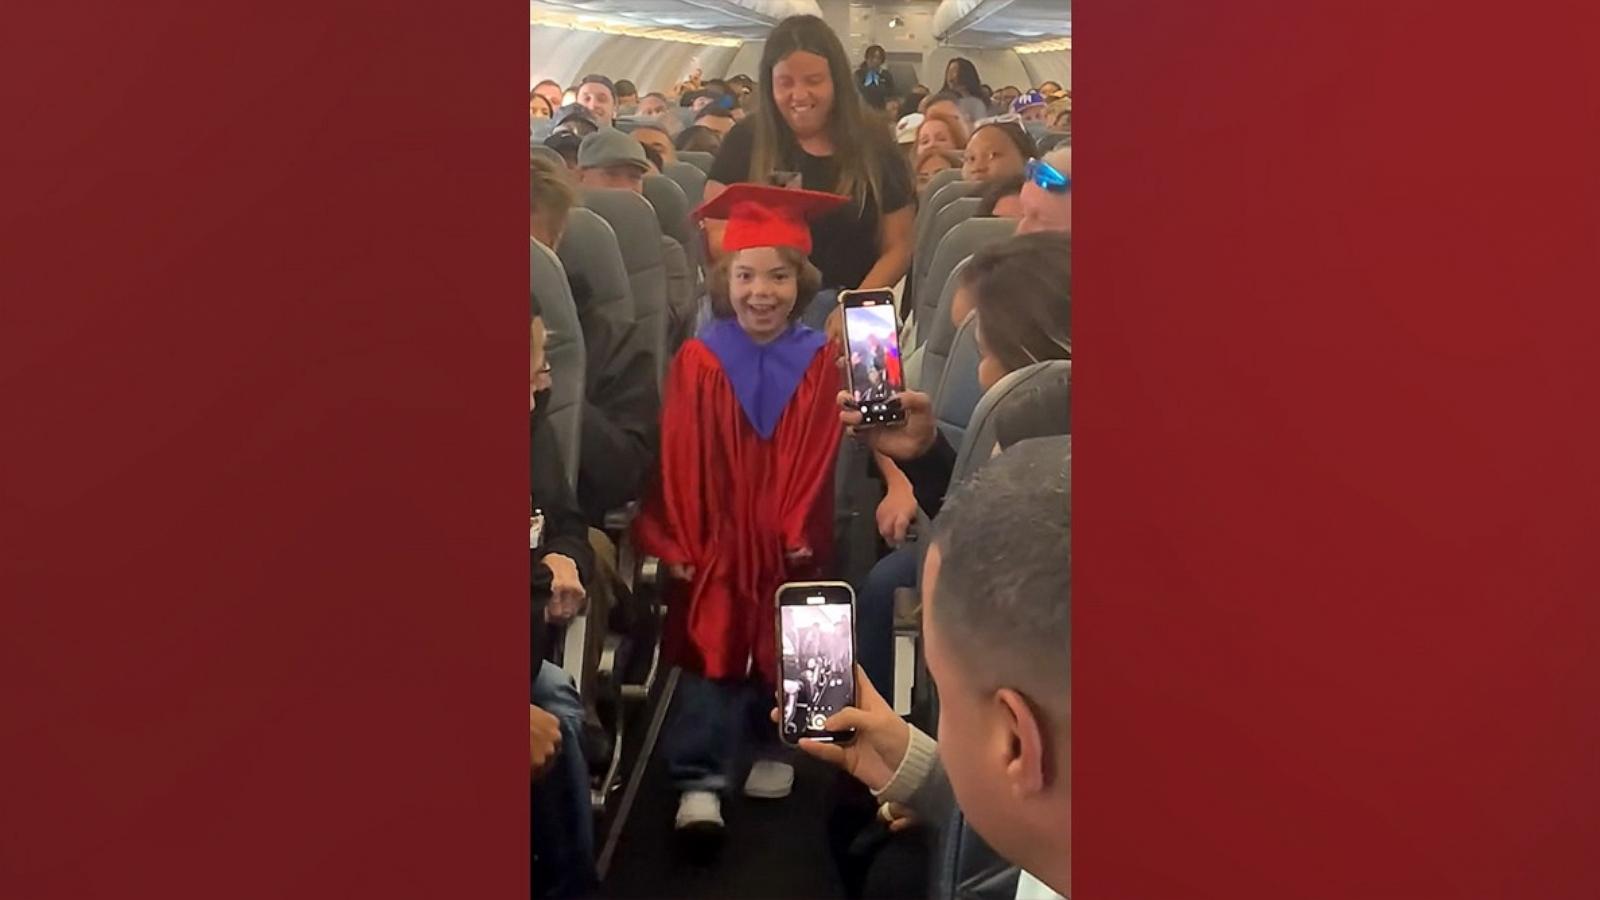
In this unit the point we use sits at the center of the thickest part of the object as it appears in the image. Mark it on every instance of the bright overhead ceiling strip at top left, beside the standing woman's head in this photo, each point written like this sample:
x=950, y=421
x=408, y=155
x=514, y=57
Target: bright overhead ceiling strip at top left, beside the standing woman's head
x=748, y=20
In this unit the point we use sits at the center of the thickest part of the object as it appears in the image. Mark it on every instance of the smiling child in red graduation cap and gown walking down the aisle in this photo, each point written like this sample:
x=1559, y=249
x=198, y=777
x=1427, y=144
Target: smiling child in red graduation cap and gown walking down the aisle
x=750, y=433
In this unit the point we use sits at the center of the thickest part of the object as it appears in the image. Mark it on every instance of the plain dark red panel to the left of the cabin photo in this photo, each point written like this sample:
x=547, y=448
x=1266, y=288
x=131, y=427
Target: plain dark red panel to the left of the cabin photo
x=263, y=460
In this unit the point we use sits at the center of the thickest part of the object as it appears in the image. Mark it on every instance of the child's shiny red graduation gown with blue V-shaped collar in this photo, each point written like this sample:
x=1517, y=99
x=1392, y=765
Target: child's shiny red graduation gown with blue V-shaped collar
x=748, y=446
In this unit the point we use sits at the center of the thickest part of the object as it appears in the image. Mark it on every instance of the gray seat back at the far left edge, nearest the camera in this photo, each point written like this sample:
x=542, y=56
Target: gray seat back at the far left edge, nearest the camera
x=566, y=353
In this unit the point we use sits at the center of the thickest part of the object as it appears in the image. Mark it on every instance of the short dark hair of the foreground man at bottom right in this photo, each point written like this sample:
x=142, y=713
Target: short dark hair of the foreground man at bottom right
x=1004, y=590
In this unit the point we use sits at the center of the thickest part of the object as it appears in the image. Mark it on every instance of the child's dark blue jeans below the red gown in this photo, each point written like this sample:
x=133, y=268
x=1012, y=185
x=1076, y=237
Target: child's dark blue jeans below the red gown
x=714, y=723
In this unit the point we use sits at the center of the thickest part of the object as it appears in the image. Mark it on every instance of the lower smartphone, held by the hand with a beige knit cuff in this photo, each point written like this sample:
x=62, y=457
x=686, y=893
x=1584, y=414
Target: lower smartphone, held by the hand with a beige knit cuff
x=817, y=653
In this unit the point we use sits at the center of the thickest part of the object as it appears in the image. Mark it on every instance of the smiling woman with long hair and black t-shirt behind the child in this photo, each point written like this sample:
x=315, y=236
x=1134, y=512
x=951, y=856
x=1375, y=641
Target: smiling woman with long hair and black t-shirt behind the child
x=814, y=123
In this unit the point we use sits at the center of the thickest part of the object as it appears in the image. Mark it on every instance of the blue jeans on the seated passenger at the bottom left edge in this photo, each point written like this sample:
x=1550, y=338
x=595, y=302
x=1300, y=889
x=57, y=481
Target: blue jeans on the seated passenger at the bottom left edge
x=564, y=845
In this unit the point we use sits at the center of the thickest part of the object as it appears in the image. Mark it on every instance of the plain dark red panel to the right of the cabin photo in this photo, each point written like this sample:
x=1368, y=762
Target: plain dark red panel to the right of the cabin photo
x=1338, y=470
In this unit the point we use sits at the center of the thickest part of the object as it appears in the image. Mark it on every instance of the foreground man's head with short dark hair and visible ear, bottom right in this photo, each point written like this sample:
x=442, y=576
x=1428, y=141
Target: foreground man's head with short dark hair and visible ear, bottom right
x=998, y=632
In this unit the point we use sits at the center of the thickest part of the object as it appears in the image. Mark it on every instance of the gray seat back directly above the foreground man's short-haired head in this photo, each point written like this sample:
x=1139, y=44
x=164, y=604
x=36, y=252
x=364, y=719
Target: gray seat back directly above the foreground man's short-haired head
x=1030, y=403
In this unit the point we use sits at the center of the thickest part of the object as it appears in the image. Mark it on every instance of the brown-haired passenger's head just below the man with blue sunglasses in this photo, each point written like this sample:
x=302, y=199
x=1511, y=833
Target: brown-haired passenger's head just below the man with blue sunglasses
x=1023, y=294
